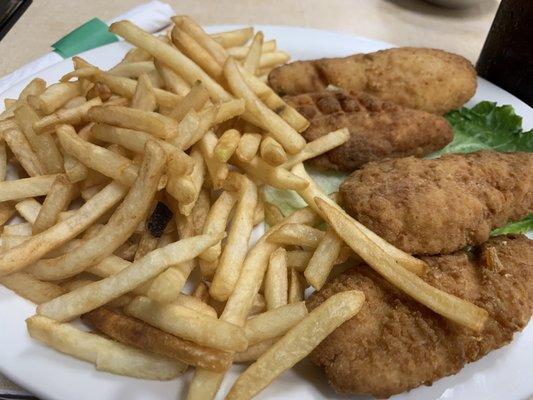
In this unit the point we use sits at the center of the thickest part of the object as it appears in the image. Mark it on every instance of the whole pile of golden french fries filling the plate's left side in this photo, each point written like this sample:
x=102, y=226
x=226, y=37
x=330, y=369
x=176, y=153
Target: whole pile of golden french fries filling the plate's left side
x=129, y=179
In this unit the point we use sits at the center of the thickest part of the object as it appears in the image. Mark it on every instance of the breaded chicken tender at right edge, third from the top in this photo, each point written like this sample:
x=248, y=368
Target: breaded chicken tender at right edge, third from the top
x=441, y=205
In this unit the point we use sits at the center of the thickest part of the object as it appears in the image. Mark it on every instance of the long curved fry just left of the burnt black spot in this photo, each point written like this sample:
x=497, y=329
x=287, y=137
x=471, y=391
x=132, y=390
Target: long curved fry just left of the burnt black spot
x=120, y=226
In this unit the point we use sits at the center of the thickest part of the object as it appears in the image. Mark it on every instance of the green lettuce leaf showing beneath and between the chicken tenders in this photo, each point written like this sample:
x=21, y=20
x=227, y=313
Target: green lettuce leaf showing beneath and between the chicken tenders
x=486, y=126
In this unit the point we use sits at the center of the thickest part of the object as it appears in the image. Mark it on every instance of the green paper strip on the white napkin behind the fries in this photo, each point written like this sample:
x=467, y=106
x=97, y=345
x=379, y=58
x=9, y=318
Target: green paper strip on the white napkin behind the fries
x=90, y=35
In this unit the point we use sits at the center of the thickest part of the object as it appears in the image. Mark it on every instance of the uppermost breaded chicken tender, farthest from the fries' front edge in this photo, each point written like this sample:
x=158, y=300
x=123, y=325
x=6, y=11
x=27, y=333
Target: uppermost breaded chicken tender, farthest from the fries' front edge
x=425, y=79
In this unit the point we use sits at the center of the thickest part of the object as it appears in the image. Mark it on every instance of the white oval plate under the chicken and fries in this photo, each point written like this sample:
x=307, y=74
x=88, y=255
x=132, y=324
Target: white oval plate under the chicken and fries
x=503, y=374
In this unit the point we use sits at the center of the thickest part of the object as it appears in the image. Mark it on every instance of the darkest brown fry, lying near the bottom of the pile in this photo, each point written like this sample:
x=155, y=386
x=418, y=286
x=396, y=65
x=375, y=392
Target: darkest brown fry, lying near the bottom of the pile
x=136, y=333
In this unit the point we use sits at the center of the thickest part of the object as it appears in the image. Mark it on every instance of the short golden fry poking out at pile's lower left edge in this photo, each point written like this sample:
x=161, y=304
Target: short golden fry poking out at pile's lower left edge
x=30, y=288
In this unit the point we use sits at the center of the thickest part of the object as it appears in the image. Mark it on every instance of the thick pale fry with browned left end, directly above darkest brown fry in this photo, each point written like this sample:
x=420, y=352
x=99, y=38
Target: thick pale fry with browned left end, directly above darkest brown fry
x=189, y=324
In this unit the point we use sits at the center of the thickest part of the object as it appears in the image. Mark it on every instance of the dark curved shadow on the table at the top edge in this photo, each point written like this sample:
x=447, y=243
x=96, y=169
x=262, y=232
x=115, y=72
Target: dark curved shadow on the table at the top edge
x=425, y=8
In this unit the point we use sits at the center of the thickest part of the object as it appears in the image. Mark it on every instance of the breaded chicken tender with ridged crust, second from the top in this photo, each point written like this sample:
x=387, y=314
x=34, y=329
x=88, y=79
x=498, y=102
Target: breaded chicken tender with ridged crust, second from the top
x=378, y=129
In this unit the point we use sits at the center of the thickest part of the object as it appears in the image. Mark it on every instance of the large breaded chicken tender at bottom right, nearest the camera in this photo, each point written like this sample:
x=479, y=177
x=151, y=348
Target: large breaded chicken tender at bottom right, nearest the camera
x=395, y=344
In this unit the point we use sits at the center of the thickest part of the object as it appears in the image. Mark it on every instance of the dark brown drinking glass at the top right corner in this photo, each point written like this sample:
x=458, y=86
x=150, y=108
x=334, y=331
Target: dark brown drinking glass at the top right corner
x=507, y=56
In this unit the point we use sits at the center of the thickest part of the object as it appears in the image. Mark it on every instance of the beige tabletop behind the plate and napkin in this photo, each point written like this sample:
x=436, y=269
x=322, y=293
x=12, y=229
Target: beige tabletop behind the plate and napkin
x=401, y=22
